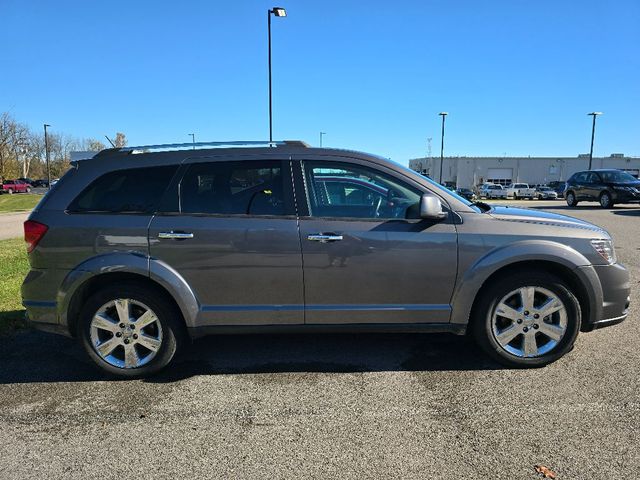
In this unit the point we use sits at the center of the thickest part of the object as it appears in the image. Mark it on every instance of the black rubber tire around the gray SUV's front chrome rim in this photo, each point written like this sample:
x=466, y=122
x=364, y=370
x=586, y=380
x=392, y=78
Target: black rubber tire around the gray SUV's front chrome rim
x=482, y=320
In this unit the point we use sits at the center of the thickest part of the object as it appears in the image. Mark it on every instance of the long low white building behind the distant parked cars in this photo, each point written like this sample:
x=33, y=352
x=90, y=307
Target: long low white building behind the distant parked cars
x=470, y=171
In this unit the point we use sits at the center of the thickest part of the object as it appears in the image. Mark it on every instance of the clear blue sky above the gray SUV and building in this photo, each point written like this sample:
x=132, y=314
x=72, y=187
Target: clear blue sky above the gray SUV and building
x=517, y=77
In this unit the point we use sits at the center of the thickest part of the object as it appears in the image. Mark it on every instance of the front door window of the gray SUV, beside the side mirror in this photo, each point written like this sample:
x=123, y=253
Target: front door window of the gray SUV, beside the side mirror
x=352, y=191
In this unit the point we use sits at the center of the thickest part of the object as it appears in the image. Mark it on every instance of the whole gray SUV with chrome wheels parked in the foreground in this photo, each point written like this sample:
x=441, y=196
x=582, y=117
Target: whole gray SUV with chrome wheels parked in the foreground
x=141, y=249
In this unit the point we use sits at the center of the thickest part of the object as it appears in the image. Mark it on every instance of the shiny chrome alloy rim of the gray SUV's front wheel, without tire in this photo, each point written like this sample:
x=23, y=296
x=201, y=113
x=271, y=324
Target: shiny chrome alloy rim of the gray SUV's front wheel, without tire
x=529, y=322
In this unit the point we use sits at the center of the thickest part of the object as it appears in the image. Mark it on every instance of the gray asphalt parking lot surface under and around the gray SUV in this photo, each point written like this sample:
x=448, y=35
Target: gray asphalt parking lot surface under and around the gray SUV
x=333, y=406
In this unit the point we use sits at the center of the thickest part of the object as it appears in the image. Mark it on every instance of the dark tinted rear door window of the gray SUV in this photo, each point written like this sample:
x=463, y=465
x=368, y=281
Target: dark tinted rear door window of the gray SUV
x=249, y=188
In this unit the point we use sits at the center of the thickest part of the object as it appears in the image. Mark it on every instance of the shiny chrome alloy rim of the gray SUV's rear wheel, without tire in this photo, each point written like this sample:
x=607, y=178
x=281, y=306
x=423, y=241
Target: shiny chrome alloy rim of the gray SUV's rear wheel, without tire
x=125, y=333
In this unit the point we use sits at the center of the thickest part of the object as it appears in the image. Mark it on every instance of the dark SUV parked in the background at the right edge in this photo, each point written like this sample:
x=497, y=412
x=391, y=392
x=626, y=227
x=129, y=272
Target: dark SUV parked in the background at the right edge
x=605, y=186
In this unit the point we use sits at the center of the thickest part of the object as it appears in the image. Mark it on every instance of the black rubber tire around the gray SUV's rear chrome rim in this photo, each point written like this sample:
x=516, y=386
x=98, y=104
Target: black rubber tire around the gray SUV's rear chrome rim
x=170, y=319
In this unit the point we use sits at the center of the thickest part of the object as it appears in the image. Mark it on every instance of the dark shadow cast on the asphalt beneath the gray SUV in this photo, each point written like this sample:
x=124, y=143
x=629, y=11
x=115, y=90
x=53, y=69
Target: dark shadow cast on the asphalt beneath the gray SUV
x=42, y=357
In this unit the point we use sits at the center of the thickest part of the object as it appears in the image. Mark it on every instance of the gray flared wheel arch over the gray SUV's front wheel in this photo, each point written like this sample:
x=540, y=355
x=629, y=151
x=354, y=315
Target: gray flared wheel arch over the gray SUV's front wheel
x=473, y=277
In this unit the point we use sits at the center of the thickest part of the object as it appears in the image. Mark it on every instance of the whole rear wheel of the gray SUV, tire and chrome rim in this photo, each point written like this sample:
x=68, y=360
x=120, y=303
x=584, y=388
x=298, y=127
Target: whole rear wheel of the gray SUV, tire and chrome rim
x=130, y=330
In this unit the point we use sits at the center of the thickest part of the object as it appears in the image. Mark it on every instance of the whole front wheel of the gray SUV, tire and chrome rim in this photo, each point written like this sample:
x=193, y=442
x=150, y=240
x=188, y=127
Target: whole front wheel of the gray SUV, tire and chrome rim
x=527, y=320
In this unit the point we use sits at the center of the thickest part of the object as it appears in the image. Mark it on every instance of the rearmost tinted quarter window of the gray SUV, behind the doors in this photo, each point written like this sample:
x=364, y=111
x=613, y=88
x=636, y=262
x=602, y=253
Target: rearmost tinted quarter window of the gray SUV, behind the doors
x=136, y=190
